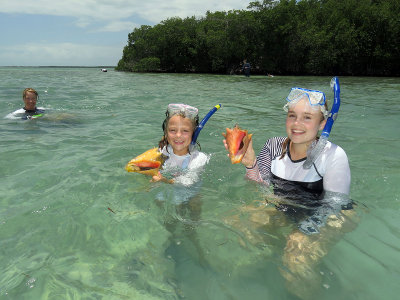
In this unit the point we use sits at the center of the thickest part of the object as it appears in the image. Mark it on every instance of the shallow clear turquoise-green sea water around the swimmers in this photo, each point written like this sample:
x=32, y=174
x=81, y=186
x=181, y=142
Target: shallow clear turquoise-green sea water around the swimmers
x=59, y=176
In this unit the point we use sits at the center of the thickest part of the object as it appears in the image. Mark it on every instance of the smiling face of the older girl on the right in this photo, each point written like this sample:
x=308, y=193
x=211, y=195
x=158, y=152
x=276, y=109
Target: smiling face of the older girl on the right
x=303, y=123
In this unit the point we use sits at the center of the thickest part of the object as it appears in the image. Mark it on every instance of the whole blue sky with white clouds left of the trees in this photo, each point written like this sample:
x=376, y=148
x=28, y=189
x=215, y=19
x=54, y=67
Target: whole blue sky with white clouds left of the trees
x=85, y=32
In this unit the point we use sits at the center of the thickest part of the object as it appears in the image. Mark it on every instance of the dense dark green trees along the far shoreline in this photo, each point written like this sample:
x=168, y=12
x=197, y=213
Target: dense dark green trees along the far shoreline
x=287, y=37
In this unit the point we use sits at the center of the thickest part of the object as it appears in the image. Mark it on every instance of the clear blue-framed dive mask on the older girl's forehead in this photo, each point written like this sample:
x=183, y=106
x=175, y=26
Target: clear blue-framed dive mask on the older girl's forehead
x=316, y=99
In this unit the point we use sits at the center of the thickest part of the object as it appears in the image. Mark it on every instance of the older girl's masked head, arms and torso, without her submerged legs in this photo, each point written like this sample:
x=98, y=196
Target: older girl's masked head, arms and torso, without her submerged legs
x=321, y=189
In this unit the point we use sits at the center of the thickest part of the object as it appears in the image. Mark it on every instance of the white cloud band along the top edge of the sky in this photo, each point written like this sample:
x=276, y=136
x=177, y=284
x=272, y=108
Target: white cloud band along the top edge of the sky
x=93, y=11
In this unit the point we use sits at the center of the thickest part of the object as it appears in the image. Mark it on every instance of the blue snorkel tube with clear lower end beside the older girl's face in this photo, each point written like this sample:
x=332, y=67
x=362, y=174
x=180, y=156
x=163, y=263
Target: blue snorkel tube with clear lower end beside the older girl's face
x=314, y=152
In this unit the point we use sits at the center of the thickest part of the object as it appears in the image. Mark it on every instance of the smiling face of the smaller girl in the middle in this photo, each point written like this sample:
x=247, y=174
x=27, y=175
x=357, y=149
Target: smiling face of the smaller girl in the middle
x=179, y=134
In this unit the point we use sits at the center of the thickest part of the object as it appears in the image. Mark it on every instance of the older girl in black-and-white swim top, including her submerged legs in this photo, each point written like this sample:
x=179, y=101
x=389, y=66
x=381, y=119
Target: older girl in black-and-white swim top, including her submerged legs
x=315, y=199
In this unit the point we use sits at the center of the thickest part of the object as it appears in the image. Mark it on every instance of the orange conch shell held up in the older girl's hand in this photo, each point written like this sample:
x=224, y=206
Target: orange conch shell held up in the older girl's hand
x=238, y=141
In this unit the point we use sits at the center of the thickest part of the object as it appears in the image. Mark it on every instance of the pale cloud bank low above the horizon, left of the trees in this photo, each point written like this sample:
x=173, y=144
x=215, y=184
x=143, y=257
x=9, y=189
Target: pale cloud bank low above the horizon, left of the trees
x=61, y=54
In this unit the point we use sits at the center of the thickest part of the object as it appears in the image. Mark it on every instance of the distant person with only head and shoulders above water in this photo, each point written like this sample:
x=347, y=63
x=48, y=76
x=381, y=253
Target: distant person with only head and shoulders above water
x=30, y=111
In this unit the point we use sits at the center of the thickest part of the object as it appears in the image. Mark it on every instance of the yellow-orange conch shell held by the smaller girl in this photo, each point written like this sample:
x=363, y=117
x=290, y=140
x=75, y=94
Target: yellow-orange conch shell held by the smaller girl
x=147, y=163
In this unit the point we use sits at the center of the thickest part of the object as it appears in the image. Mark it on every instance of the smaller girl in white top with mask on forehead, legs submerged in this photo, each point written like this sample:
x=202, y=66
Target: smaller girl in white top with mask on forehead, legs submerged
x=182, y=169
